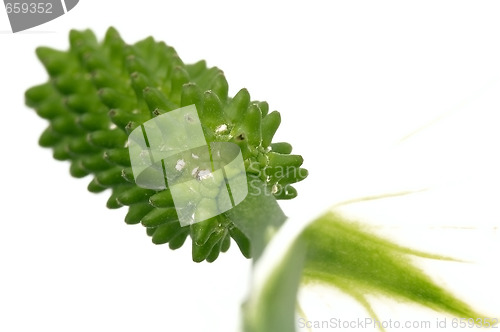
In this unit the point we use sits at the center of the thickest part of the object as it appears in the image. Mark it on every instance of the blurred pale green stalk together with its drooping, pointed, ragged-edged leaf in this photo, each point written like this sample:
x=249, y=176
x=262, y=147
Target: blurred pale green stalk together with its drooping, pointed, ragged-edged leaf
x=339, y=253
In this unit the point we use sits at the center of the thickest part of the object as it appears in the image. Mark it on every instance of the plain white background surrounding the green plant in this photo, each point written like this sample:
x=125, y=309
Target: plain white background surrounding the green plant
x=351, y=79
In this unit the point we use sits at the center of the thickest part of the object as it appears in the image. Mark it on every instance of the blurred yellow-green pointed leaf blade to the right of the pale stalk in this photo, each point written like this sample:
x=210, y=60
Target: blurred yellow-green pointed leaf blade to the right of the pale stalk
x=341, y=253
